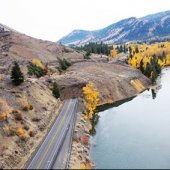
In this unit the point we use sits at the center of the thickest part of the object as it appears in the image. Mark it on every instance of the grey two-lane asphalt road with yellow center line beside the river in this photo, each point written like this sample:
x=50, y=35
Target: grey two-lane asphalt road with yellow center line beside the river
x=46, y=155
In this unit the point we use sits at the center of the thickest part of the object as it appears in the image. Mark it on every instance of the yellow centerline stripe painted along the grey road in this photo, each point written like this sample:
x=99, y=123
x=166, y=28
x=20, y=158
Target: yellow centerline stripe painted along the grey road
x=52, y=141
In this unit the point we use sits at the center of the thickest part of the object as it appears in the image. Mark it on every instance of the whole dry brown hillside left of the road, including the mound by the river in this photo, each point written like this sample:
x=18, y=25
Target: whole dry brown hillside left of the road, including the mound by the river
x=27, y=111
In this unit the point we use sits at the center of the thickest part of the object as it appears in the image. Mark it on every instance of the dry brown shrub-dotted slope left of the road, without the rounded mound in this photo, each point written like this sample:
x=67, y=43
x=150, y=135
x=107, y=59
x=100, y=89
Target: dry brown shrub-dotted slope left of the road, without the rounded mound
x=26, y=111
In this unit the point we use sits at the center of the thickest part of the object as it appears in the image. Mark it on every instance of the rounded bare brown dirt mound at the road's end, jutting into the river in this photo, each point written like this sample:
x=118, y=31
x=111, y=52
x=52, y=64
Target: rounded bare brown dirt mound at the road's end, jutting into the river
x=114, y=81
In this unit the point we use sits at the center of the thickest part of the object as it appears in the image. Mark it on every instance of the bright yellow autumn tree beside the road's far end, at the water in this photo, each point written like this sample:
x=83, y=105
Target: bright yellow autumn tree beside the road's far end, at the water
x=91, y=96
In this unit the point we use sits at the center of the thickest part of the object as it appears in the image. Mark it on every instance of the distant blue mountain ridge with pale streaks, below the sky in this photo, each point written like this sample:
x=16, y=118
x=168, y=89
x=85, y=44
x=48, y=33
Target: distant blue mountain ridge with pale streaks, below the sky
x=128, y=30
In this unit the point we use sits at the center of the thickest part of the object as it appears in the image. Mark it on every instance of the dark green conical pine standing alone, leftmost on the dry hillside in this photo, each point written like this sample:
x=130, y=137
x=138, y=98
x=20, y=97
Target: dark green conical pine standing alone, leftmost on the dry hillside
x=16, y=75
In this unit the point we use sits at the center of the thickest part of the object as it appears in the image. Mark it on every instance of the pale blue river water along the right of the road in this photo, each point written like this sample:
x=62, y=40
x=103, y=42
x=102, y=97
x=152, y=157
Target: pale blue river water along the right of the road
x=135, y=134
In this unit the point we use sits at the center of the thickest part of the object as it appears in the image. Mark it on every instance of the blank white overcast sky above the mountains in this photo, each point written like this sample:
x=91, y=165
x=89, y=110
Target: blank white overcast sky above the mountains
x=53, y=19
